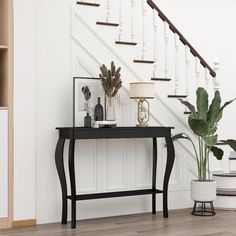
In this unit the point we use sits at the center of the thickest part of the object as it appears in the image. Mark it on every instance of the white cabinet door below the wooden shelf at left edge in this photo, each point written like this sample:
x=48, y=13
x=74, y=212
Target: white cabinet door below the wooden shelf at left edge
x=3, y=164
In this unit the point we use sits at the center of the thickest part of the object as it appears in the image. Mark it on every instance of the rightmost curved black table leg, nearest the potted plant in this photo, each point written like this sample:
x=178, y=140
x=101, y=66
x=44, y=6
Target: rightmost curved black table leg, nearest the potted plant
x=169, y=166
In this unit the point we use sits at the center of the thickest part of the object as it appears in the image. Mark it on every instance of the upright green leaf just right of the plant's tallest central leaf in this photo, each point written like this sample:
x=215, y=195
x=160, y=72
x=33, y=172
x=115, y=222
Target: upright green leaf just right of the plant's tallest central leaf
x=214, y=110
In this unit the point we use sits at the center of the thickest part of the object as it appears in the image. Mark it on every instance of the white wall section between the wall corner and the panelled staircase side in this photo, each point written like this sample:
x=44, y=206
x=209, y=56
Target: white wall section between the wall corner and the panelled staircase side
x=53, y=99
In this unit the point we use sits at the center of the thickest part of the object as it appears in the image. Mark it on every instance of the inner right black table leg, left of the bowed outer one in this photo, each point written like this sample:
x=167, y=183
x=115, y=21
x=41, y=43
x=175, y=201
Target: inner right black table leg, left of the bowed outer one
x=154, y=174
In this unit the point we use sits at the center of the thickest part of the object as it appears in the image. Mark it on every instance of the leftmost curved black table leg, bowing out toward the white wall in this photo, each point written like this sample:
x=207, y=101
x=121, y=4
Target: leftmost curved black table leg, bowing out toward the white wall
x=62, y=177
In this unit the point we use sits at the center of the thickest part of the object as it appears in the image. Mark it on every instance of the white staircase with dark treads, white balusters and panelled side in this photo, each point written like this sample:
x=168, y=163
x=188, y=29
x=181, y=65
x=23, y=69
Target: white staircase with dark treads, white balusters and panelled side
x=140, y=38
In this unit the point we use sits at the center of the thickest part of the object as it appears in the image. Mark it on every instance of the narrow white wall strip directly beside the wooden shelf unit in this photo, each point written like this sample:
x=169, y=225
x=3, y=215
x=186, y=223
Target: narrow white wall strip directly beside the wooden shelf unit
x=24, y=109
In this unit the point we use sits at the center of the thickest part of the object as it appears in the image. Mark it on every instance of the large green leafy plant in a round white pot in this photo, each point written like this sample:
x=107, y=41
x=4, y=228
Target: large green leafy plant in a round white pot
x=203, y=121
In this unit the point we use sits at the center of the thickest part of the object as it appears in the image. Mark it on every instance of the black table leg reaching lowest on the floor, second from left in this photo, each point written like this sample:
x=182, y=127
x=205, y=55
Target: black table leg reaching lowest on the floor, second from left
x=72, y=182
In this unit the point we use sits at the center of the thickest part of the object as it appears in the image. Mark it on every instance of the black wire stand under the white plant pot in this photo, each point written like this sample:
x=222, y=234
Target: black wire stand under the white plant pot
x=201, y=209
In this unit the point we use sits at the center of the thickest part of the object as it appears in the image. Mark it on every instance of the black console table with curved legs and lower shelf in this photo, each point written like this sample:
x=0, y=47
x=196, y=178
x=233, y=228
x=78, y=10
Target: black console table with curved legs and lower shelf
x=111, y=133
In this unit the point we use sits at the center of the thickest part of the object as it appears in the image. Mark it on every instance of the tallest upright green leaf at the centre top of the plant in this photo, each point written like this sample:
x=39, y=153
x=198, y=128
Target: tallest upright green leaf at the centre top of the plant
x=202, y=103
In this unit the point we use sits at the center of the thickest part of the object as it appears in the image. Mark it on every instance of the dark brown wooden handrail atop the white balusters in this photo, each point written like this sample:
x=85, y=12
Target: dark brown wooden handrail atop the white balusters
x=181, y=37
